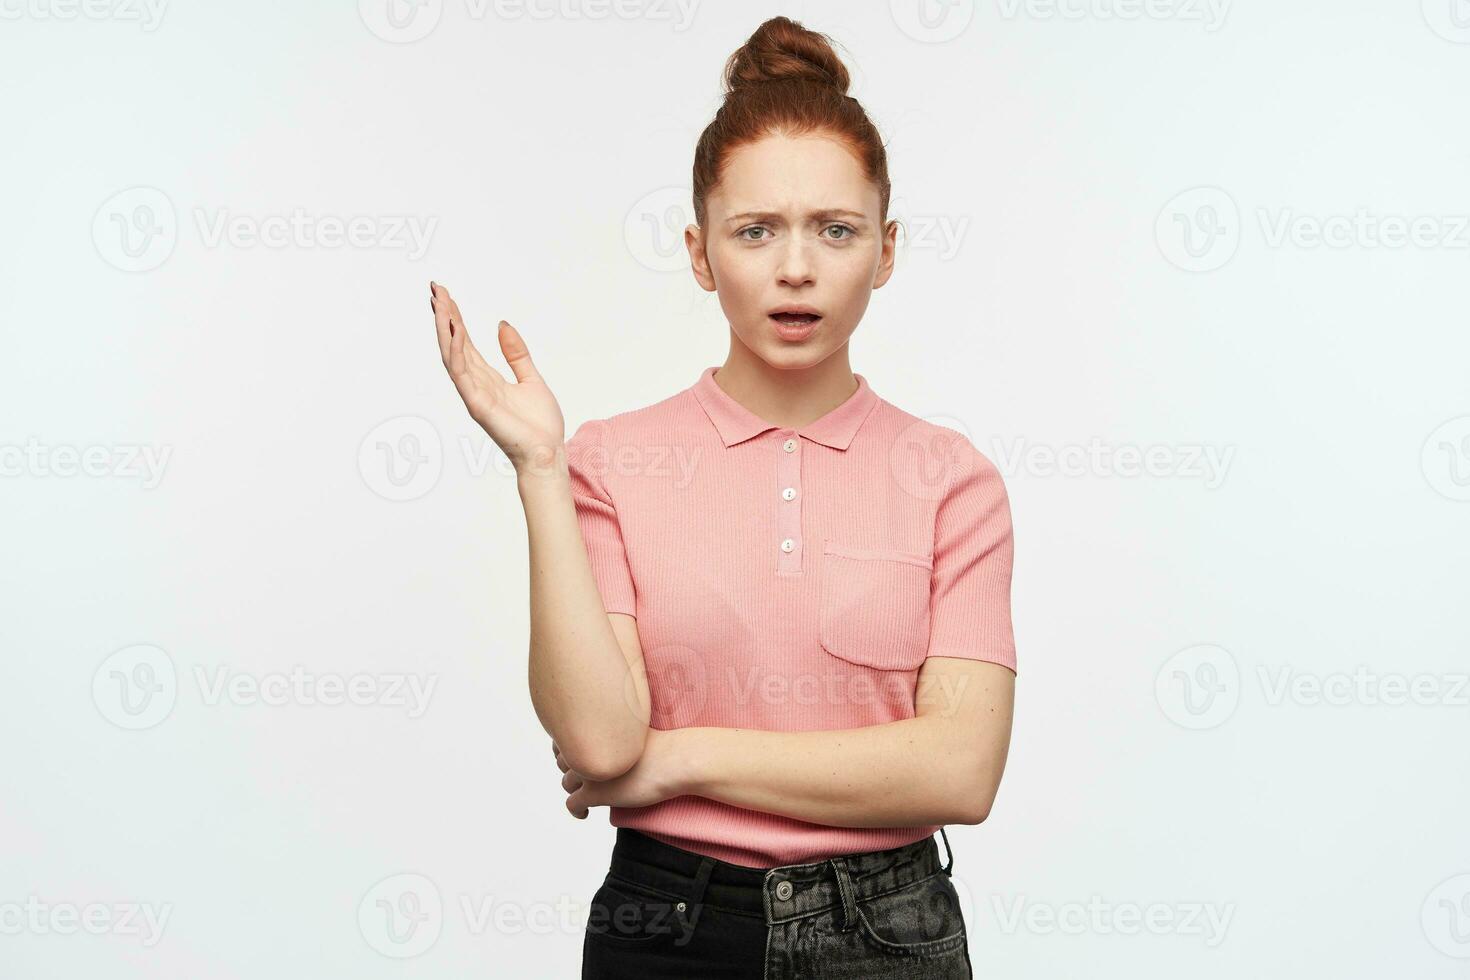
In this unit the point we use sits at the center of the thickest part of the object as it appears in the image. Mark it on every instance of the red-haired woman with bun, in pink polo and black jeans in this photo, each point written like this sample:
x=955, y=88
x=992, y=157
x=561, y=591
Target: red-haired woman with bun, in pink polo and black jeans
x=771, y=613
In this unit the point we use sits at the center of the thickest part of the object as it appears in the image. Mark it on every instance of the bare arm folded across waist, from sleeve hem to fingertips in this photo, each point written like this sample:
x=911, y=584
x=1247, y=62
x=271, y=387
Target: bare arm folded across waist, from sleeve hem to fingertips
x=940, y=768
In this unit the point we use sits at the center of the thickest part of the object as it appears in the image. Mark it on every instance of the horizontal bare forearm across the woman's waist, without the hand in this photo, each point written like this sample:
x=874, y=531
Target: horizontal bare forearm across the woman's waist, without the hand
x=917, y=772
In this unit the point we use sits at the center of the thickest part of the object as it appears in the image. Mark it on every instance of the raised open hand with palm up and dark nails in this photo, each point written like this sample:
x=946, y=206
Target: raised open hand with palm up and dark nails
x=523, y=418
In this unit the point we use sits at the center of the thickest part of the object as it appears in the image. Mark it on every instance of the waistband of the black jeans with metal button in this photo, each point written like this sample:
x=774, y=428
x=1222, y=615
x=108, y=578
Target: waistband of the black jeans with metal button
x=780, y=894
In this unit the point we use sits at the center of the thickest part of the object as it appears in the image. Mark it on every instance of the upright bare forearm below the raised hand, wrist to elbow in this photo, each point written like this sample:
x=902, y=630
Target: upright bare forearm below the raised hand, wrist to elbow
x=580, y=678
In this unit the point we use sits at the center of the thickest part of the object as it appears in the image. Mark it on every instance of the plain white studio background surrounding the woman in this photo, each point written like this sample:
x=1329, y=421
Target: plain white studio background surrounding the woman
x=1112, y=212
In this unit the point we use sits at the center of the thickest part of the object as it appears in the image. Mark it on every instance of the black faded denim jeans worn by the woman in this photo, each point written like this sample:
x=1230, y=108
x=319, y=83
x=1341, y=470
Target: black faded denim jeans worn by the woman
x=665, y=913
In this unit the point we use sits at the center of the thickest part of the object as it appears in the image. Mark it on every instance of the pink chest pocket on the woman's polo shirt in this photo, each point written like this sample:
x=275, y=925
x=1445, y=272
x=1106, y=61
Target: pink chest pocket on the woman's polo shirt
x=875, y=606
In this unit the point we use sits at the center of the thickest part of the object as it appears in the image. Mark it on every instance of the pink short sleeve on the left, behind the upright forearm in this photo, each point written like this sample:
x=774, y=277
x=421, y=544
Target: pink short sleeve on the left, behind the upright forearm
x=587, y=462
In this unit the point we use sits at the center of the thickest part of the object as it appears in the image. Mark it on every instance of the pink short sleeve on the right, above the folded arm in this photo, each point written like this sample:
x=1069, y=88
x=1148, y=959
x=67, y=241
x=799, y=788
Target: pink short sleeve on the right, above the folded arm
x=969, y=602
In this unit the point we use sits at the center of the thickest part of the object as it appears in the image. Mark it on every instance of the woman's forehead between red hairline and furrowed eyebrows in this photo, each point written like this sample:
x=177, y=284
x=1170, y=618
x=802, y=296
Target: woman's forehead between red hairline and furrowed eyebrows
x=793, y=174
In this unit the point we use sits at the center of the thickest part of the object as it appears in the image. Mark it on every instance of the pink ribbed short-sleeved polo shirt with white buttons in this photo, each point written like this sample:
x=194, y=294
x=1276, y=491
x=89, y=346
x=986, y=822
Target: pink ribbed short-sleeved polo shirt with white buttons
x=790, y=581
